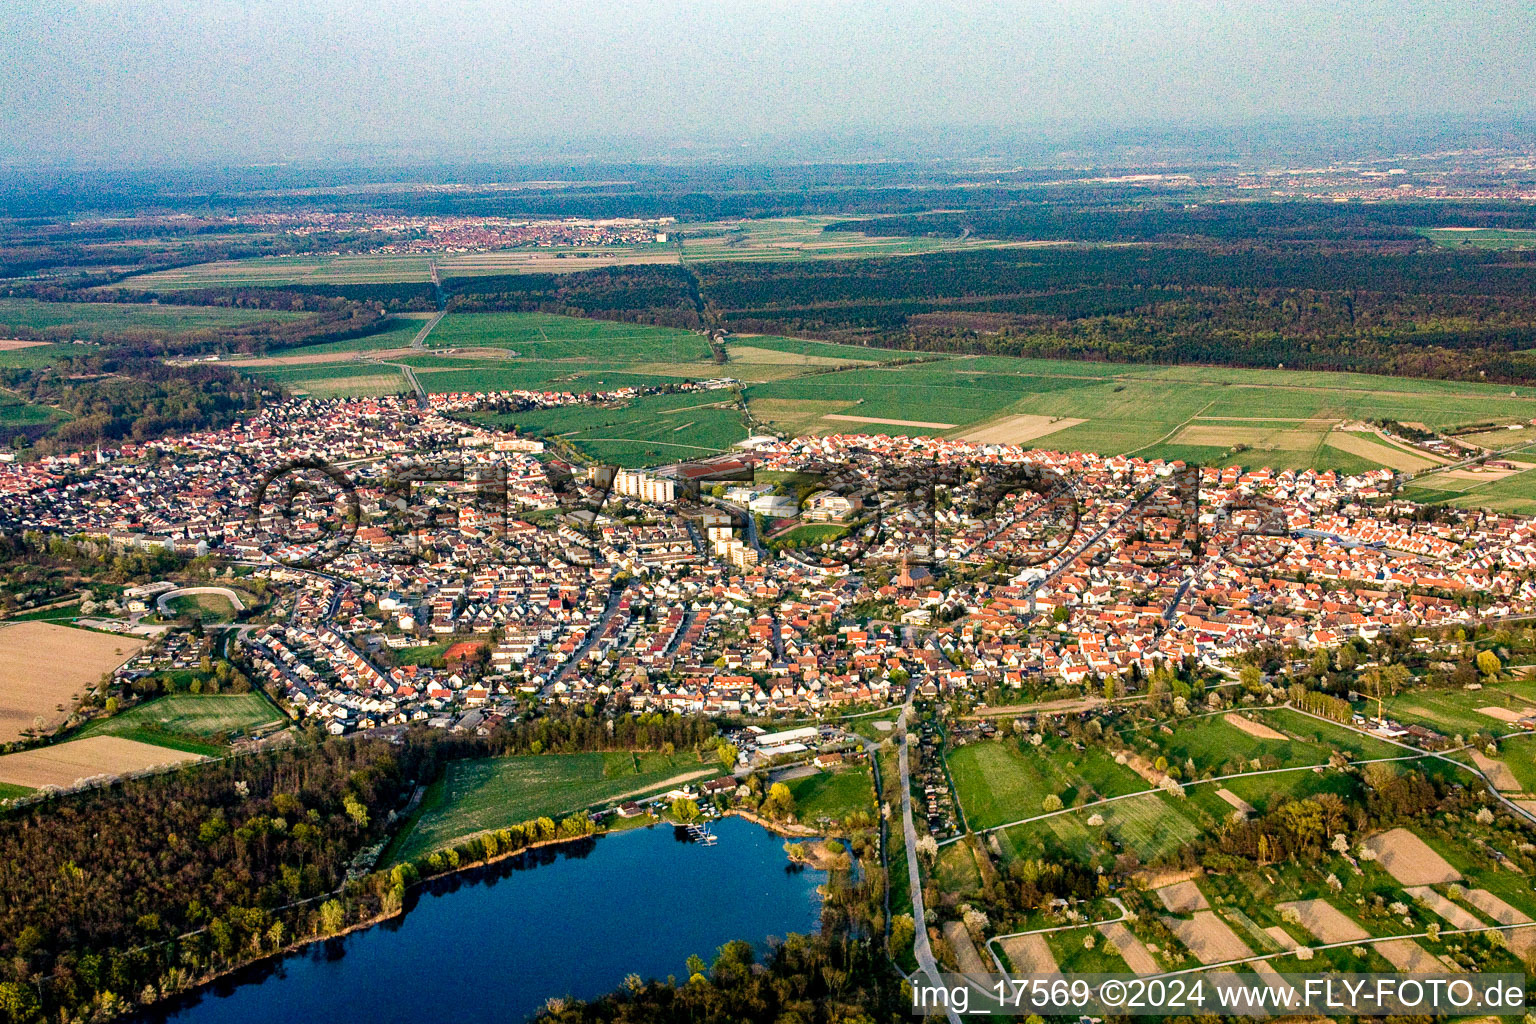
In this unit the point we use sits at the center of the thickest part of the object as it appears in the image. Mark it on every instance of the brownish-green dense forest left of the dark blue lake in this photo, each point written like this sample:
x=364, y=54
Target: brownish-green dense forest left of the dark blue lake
x=118, y=894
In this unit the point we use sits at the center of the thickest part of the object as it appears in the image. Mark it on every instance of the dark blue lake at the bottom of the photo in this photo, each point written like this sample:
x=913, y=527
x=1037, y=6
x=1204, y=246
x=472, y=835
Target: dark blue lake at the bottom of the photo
x=571, y=920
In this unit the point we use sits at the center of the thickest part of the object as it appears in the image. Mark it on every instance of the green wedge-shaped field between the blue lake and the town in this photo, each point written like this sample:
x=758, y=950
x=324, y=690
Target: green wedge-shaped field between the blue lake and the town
x=494, y=793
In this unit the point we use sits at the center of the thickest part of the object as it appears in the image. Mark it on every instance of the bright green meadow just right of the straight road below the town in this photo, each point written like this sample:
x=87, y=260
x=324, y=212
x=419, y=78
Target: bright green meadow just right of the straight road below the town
x=999, y=782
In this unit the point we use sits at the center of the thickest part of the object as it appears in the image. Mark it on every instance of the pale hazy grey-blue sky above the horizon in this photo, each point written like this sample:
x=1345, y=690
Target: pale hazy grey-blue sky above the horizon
x=268, y=79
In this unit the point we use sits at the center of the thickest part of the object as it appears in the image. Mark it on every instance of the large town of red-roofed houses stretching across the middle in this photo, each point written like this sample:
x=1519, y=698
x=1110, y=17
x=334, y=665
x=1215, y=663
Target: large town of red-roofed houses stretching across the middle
x=657, y=587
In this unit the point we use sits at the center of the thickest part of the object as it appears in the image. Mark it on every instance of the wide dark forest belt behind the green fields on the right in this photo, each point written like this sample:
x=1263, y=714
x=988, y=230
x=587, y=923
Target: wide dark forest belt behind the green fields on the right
x=1414, y=314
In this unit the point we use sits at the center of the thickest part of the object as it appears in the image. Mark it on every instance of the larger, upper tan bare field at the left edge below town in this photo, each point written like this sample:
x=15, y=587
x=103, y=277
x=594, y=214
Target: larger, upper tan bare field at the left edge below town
x=45, y=670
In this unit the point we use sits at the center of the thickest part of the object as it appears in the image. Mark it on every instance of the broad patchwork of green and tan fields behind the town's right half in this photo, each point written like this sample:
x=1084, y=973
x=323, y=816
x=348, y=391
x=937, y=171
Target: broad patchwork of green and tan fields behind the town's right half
x=1214, y=415
